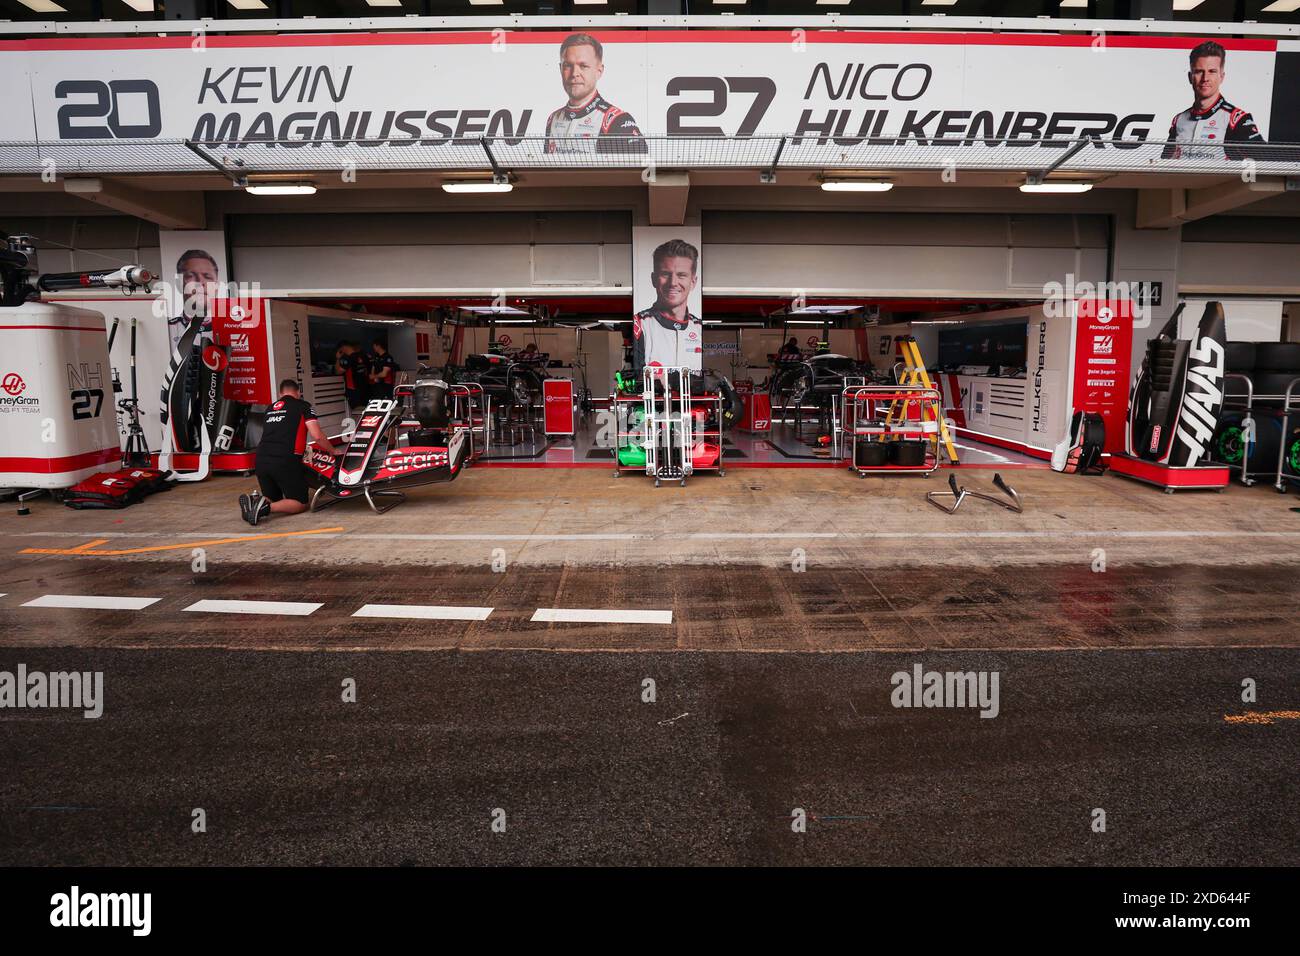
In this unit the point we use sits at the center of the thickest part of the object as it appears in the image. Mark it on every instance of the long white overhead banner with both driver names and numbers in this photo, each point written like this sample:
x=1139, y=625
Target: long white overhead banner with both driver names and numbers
x=596, y=97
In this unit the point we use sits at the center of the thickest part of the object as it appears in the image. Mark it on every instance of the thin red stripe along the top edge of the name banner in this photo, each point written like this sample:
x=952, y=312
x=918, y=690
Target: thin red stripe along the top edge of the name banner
x=770, y=37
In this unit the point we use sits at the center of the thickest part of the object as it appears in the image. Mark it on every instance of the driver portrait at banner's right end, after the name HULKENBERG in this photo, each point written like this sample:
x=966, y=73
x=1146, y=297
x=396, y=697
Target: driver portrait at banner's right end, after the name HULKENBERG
x=1208, y=128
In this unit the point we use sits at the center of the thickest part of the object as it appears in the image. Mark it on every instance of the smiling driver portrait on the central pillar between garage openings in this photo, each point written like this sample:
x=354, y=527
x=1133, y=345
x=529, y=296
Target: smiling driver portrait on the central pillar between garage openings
x=668, y=334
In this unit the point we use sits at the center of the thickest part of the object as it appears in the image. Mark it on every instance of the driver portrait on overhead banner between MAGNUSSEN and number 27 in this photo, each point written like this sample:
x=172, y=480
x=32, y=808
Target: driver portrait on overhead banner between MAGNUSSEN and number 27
x=588, y=123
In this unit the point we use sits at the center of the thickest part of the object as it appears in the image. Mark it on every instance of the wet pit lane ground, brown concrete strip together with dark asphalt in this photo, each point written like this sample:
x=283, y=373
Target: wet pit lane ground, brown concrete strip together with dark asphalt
x=1113, y=695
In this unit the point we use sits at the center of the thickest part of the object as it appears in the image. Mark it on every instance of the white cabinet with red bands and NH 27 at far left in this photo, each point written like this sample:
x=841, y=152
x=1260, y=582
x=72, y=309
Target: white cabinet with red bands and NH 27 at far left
x=58, y=410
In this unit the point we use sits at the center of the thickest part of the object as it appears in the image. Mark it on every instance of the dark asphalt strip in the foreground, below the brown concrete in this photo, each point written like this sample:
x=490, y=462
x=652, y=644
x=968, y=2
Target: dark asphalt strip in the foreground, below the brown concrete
x=587, y=773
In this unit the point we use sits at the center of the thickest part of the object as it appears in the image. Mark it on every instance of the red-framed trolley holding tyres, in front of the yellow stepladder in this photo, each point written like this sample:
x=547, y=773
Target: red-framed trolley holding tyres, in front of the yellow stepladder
x=863, y=423
